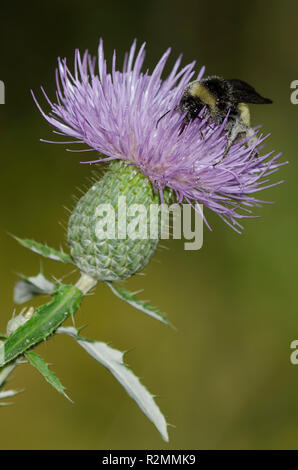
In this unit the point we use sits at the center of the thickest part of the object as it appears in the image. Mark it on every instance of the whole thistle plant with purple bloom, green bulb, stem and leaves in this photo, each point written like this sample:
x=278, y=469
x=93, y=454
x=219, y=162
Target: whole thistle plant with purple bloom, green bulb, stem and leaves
x=116, y=115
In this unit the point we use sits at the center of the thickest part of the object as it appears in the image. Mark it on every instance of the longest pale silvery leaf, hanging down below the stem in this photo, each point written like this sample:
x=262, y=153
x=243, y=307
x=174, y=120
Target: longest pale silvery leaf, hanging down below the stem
x=112, y=359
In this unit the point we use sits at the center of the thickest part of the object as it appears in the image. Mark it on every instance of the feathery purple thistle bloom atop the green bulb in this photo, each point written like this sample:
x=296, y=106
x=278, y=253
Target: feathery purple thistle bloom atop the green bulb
x=116, y=113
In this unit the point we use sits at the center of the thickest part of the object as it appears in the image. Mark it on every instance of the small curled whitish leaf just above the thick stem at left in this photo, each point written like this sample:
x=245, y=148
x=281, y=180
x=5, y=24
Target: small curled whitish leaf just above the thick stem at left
x=29, y=287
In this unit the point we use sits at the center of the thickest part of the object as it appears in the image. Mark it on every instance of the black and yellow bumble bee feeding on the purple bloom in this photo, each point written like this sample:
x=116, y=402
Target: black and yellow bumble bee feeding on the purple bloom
x=219, y=96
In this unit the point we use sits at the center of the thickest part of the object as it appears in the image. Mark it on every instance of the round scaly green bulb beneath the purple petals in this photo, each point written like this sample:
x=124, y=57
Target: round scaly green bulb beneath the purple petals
x=115, y=255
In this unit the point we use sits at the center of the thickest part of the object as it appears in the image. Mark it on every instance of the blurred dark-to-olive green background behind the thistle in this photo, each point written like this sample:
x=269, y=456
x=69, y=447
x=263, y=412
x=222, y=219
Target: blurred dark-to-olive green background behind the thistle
x=224, y=380
